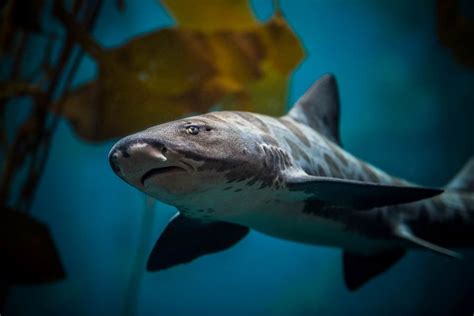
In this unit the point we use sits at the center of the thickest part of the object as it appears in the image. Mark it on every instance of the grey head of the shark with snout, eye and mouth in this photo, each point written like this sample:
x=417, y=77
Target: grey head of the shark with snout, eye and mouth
x=187, y=156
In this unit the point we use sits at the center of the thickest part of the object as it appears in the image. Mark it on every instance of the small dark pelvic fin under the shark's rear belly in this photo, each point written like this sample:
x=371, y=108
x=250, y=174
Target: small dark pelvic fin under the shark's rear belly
x=358, y=269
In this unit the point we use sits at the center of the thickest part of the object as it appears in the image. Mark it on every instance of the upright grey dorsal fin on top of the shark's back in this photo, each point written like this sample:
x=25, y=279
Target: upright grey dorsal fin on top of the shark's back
x=319, y=108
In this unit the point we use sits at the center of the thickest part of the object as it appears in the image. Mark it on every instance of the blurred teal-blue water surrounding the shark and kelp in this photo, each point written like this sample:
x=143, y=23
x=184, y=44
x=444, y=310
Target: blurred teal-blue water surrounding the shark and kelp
x=407, y=107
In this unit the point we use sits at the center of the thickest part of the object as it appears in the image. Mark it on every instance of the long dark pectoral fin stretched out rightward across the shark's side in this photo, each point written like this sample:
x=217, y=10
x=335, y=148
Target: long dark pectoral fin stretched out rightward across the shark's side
x=357, y=194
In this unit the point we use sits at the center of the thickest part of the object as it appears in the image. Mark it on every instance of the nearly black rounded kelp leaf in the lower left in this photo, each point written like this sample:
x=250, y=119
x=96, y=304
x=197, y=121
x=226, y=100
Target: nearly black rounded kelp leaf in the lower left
x=27, y=251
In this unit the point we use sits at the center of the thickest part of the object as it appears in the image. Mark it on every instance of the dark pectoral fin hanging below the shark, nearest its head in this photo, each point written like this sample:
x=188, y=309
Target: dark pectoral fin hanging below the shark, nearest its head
x=185, y=239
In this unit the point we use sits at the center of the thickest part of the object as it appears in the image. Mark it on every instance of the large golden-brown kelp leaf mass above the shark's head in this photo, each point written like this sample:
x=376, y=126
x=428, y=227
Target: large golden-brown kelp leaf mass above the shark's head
x=171, y=73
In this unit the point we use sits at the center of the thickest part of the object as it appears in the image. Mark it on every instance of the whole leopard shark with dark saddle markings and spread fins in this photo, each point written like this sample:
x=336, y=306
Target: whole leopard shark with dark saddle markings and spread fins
x=288, y=177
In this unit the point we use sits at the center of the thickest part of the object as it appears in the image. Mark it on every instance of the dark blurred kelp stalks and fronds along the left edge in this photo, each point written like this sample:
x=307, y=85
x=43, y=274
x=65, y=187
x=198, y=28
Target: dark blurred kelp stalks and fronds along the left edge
x=27, y=250
